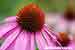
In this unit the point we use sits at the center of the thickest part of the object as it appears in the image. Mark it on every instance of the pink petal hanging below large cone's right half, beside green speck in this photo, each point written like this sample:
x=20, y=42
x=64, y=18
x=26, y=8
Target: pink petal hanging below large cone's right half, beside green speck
x=41, y=43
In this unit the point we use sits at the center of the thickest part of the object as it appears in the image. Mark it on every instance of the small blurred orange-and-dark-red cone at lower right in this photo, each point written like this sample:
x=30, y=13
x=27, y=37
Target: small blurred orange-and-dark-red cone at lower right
x=64, y=39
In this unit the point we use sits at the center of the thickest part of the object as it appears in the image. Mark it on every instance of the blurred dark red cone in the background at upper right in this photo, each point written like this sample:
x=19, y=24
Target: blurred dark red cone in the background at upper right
x=69, y=14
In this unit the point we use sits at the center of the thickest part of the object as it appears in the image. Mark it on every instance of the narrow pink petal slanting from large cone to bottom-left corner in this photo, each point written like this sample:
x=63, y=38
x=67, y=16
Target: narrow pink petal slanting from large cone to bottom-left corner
x=10, y=39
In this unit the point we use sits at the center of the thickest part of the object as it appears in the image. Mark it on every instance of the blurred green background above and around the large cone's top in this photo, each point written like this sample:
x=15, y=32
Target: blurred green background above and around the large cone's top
x=11, y=7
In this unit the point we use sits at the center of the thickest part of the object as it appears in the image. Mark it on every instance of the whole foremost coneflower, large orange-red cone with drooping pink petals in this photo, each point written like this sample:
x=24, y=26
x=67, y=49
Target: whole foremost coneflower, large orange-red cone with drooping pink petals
x=26, y=30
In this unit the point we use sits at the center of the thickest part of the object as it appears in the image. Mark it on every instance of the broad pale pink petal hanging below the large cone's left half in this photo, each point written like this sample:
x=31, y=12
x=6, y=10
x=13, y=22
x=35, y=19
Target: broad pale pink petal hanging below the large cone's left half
x=23, y=41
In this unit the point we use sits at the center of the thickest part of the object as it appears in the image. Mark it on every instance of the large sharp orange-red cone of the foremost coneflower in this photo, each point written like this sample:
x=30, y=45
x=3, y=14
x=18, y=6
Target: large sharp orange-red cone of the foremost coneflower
x=31, y=18
